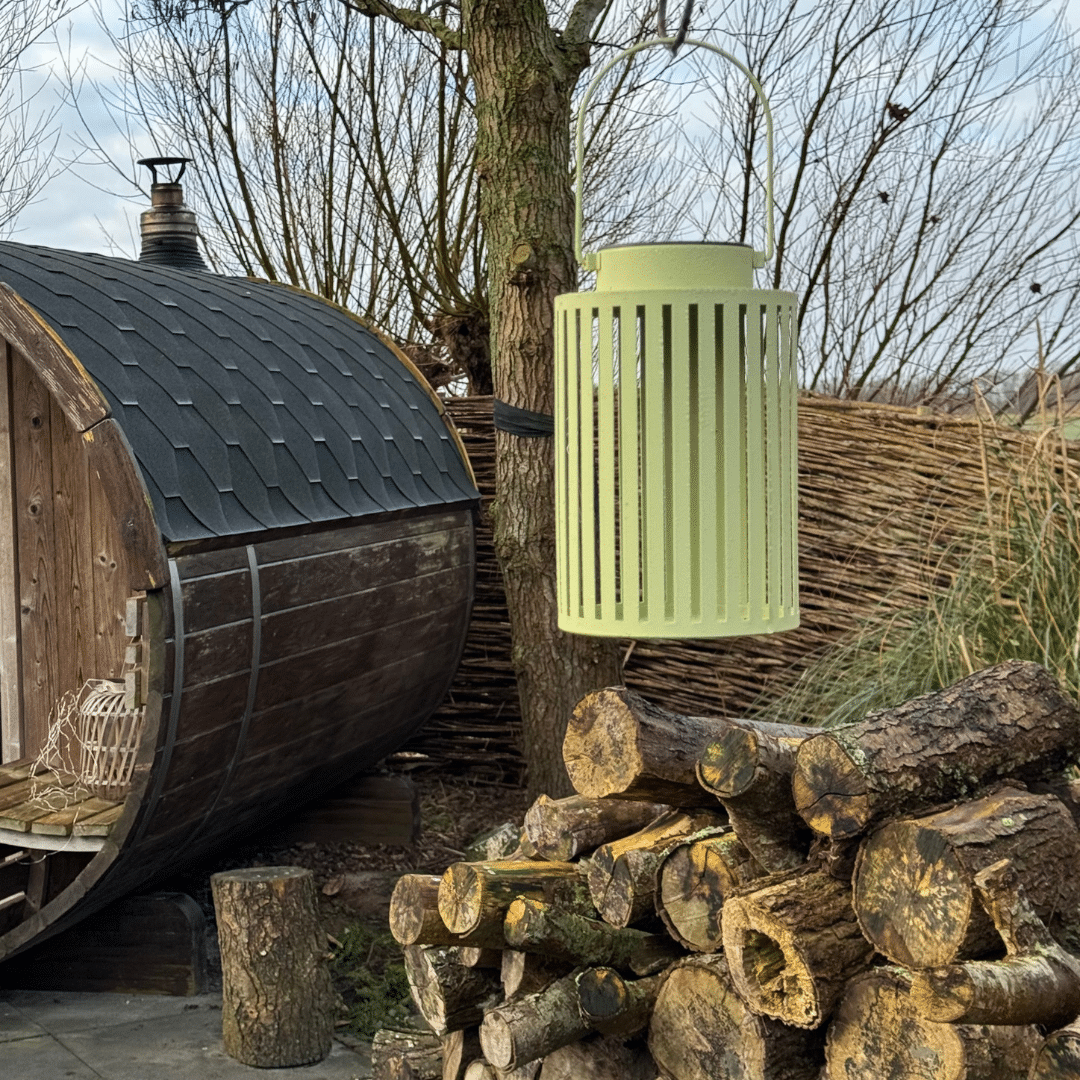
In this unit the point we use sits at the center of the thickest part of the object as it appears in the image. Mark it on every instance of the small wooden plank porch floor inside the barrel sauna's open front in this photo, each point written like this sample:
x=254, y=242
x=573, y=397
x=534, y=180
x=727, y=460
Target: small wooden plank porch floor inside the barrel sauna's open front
x=82, y=821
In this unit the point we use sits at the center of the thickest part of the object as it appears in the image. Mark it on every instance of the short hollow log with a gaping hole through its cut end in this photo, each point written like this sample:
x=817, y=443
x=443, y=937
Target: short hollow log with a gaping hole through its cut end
x=793, y=944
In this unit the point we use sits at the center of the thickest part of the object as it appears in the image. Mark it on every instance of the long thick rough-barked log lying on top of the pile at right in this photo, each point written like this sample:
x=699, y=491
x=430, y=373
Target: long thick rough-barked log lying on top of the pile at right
x=1009, y=721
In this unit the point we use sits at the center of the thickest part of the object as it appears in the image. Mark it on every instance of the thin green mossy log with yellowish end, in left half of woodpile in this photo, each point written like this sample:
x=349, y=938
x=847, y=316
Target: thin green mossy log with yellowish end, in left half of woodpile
x=543, y=928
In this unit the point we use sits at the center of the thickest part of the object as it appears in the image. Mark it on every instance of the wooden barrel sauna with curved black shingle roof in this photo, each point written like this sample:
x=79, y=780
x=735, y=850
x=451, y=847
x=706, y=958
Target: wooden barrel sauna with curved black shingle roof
x=248, y=510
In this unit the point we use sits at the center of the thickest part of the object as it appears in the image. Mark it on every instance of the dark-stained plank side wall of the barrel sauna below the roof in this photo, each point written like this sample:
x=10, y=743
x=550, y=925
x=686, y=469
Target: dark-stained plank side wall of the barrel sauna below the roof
x=360, y=633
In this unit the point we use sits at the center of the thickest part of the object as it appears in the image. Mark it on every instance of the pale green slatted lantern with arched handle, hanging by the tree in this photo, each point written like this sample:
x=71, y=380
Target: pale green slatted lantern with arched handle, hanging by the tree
x=676, y=437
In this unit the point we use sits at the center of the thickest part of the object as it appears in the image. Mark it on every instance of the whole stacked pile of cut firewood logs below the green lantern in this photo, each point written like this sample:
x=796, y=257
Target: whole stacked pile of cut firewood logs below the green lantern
x=733, y=899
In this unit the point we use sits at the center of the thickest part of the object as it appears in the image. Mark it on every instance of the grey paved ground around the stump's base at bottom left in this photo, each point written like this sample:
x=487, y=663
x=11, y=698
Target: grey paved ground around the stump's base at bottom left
x=63, y=1036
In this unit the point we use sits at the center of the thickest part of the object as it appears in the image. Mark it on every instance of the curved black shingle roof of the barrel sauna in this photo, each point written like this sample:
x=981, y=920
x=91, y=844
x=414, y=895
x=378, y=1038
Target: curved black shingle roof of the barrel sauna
x=249, y=407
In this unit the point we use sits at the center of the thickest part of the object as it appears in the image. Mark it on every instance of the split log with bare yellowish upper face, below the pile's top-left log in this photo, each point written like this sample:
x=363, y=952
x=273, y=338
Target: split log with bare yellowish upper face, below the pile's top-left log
x=623, y=874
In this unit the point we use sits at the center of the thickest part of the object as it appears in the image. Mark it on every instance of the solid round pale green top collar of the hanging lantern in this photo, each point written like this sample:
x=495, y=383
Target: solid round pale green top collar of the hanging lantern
x=674, y=265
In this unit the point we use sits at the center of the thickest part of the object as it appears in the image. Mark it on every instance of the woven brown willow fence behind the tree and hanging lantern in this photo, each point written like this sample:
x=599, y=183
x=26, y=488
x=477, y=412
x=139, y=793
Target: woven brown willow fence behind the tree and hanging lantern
x=881, y=489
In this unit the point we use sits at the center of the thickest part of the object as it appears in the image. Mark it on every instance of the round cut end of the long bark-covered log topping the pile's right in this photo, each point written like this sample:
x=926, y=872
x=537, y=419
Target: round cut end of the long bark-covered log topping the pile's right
x=831, y=791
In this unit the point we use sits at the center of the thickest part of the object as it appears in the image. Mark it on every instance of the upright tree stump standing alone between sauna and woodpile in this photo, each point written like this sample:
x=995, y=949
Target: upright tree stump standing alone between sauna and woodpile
x=279, y=1005
